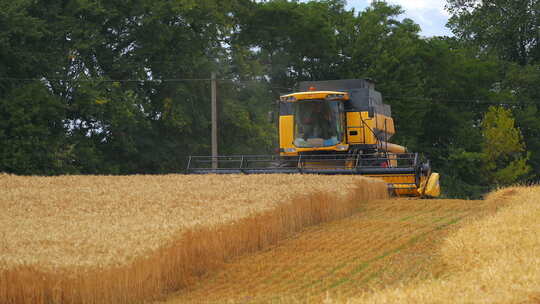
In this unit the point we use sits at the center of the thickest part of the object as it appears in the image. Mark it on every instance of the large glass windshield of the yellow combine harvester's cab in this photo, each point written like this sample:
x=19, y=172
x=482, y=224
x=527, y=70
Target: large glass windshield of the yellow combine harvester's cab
x=317, y=123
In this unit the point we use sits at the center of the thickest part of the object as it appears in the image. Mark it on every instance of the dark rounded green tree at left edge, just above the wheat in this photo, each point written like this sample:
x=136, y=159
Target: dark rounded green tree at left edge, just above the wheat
x=32, y=132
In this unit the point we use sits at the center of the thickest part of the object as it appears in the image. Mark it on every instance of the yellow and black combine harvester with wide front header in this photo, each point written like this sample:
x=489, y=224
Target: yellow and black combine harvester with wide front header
x=334, y=127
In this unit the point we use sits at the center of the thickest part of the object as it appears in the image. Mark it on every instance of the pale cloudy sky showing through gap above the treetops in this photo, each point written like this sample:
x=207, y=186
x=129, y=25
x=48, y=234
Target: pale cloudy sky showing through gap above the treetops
x=429, y=14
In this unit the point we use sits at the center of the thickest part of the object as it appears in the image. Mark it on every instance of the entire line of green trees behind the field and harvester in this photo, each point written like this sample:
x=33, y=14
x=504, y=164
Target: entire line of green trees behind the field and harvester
x=122, y=86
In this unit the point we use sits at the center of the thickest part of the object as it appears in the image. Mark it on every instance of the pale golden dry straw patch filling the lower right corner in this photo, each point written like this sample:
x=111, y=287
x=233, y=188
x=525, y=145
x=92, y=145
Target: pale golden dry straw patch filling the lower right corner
x=492, y=260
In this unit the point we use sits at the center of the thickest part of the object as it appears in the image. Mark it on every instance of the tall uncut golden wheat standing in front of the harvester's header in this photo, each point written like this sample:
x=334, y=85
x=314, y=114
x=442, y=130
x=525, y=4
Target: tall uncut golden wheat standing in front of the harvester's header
x=98, y=239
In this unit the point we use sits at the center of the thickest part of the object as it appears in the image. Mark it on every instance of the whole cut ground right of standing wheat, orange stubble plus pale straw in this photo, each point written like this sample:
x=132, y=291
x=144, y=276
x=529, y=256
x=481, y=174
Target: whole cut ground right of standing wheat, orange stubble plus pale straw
x=396, y=251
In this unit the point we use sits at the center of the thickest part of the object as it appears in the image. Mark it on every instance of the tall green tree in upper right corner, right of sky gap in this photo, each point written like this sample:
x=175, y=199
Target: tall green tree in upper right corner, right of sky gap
x=508, y=30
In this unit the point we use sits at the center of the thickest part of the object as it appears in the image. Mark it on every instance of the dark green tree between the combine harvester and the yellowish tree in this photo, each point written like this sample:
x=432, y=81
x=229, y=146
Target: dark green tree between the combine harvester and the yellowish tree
x=458, y=87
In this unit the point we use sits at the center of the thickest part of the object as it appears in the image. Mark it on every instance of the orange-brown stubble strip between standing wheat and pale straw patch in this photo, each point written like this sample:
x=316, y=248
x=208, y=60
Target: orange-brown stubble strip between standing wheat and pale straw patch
x=387, y=242
